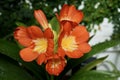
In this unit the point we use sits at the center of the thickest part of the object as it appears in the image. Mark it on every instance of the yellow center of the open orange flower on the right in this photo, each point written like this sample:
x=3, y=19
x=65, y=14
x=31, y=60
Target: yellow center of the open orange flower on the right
x=68, y=43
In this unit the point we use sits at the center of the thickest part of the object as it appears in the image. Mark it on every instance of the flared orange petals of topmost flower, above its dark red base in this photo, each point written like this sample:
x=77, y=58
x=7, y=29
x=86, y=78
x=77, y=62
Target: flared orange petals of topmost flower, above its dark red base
x=71, y=14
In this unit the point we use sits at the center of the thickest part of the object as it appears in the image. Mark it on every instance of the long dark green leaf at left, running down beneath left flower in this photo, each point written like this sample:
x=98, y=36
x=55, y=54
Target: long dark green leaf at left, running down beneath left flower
x=11, y=50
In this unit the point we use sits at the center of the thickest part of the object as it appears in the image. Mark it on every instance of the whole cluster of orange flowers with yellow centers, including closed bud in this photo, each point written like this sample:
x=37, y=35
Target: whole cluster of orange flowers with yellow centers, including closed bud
x=49, y=48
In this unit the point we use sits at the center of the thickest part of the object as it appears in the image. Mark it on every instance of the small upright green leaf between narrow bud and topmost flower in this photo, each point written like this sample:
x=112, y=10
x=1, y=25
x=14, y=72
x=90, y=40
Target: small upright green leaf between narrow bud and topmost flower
x=55, y=25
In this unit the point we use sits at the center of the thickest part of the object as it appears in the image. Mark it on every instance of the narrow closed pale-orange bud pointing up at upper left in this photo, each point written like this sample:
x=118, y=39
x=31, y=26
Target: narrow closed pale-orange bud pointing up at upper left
x=41, y=18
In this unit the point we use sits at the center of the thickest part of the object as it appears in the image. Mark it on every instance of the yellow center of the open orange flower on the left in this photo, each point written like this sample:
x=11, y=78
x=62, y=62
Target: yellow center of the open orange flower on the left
x=40, y=45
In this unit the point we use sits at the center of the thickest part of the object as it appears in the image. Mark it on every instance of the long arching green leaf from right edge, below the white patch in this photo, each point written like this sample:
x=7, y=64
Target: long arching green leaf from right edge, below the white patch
x=95, y=50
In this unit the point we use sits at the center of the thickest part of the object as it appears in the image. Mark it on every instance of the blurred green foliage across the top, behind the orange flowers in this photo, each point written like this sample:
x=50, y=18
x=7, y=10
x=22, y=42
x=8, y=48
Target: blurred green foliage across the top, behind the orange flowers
x=15, y=11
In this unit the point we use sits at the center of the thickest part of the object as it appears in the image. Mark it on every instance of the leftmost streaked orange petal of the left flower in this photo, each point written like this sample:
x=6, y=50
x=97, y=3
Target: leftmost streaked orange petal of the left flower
x=22, y=36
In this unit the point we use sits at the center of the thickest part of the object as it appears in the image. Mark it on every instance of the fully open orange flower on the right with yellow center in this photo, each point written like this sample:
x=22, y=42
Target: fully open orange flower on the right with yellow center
x=75, y=43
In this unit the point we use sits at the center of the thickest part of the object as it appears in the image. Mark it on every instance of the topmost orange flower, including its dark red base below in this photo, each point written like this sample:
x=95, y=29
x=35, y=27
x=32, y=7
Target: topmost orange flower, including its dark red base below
x=69, y=18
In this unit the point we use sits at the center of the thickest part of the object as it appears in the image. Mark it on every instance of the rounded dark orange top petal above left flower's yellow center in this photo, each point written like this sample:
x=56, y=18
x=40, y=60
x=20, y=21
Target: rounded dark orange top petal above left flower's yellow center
x=34, y=32
